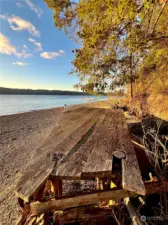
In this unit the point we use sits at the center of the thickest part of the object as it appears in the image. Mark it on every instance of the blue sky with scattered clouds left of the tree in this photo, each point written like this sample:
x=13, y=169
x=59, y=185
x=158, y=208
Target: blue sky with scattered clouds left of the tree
x=33, y=53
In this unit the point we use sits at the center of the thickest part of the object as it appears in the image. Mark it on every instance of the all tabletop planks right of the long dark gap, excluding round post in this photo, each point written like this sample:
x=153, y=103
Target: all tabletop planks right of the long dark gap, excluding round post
x=94, y=157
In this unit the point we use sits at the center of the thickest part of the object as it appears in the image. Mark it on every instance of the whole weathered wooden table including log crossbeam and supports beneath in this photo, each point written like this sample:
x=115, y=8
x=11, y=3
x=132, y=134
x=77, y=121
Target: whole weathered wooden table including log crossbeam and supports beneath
x=85, y=145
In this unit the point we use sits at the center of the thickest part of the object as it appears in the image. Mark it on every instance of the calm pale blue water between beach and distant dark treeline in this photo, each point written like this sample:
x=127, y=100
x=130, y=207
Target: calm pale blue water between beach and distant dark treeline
x=12, y=104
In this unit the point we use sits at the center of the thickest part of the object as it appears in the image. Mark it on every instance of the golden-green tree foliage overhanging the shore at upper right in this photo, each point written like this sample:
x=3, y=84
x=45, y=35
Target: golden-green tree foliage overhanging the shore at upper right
x=124, y=44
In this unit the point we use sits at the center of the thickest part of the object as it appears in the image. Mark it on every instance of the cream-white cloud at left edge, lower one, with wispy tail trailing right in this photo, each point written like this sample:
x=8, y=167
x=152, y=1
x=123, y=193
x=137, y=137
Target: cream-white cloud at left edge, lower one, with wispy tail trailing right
x=8, y=49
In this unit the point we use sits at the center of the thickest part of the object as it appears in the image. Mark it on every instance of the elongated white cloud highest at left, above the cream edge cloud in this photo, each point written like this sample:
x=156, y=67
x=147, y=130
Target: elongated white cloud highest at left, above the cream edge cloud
x=19, y=24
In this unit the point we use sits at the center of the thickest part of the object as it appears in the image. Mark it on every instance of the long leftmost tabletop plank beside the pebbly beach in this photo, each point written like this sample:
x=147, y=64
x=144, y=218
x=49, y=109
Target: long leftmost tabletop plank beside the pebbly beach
x=40, y=166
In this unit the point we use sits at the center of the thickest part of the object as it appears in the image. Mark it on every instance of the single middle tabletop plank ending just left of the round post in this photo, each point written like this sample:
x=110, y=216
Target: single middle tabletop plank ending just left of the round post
x=100, y=158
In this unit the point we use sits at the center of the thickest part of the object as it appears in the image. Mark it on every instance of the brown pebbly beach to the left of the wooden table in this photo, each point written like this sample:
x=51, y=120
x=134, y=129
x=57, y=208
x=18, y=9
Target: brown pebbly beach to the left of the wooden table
x=20, y=135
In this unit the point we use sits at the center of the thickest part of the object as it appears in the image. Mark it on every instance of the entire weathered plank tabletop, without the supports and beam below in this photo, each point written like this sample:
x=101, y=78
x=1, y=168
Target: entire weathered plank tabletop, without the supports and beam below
x=83, y=145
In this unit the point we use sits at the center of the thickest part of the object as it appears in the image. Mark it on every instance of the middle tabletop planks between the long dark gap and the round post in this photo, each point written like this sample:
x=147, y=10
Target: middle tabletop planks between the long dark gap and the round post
x=94, y=157
